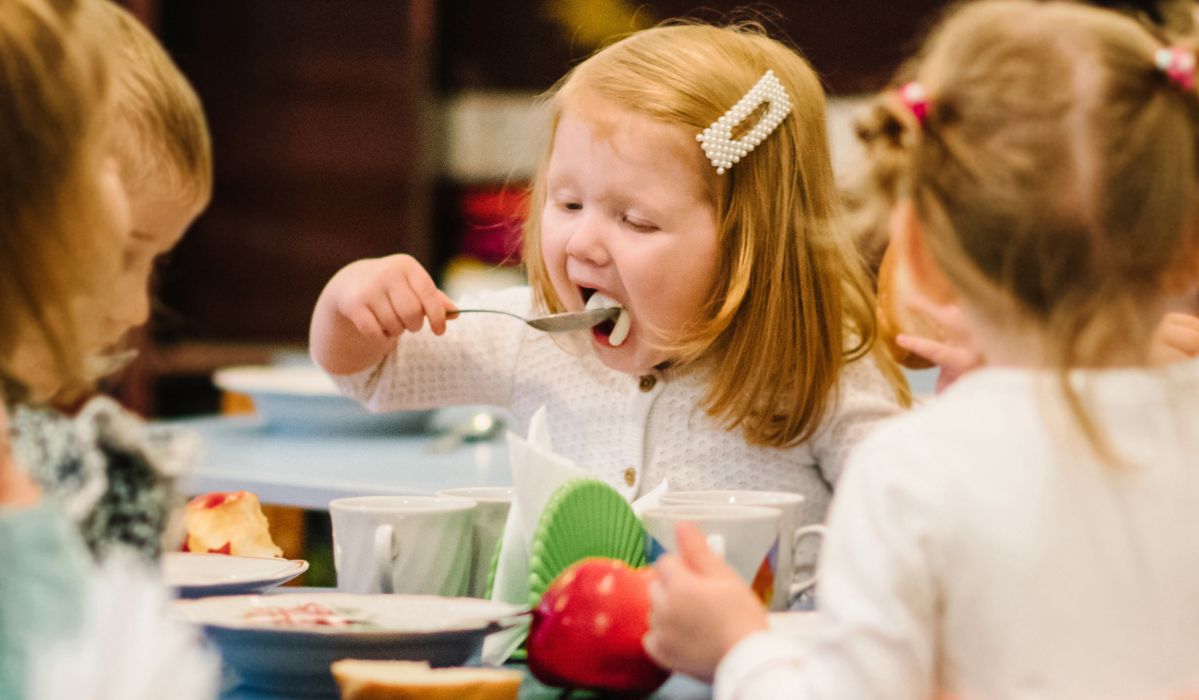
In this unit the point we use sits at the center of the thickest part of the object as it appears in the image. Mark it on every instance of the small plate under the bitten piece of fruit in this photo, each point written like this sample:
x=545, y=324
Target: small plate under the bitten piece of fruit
x=221, y=575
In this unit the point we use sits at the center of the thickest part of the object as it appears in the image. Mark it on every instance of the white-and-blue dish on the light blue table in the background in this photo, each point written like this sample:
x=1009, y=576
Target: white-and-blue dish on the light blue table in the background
x=305, y=399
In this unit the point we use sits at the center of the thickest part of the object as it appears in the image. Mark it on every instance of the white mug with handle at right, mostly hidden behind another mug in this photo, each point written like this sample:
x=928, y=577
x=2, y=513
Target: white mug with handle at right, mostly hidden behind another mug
x=791, y=534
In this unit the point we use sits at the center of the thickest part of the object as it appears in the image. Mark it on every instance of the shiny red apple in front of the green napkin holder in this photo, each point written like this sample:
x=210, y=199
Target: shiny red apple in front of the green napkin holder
x=587, y=631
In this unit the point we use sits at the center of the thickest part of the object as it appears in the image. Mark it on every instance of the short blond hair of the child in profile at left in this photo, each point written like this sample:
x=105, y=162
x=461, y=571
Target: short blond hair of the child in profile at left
x=162, y=134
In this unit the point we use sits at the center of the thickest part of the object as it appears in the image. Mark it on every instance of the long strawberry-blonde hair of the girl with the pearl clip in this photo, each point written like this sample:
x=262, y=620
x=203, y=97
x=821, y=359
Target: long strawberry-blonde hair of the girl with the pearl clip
x=792, y=305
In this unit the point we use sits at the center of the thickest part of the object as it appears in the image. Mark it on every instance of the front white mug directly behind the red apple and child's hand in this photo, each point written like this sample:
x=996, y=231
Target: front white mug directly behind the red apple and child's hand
x=746, y=536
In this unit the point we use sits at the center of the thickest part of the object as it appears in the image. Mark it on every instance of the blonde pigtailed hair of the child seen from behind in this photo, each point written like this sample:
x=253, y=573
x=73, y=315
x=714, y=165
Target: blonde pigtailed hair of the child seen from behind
x=1056, y=172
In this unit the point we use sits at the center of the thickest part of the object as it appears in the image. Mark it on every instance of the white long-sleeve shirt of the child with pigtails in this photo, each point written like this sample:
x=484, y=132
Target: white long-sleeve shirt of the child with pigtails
x=978, y=548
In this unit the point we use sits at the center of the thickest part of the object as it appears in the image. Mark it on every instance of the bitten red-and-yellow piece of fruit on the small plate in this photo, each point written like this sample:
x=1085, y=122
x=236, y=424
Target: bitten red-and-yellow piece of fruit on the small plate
x=228, y=523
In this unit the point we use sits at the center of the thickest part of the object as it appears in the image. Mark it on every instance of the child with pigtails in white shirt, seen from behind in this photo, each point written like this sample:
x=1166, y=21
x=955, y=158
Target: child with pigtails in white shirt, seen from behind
x=1029, y=534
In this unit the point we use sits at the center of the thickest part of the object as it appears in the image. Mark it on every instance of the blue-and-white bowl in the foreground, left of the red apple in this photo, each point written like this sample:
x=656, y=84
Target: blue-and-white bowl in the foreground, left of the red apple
x=293, y=659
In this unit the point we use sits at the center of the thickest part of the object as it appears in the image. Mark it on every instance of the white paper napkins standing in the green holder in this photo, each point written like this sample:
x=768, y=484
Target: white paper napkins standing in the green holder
x=537, y=474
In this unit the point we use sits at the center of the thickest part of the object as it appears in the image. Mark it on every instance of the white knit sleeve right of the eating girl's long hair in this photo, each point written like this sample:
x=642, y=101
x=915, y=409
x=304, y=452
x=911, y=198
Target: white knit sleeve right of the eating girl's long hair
x=865, y=397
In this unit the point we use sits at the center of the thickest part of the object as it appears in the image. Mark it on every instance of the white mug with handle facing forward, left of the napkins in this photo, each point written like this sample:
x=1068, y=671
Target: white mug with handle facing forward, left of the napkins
x=402, y=545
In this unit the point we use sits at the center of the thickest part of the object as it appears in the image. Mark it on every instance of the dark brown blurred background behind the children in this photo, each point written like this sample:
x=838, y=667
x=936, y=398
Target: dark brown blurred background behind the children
x=350, y=129
